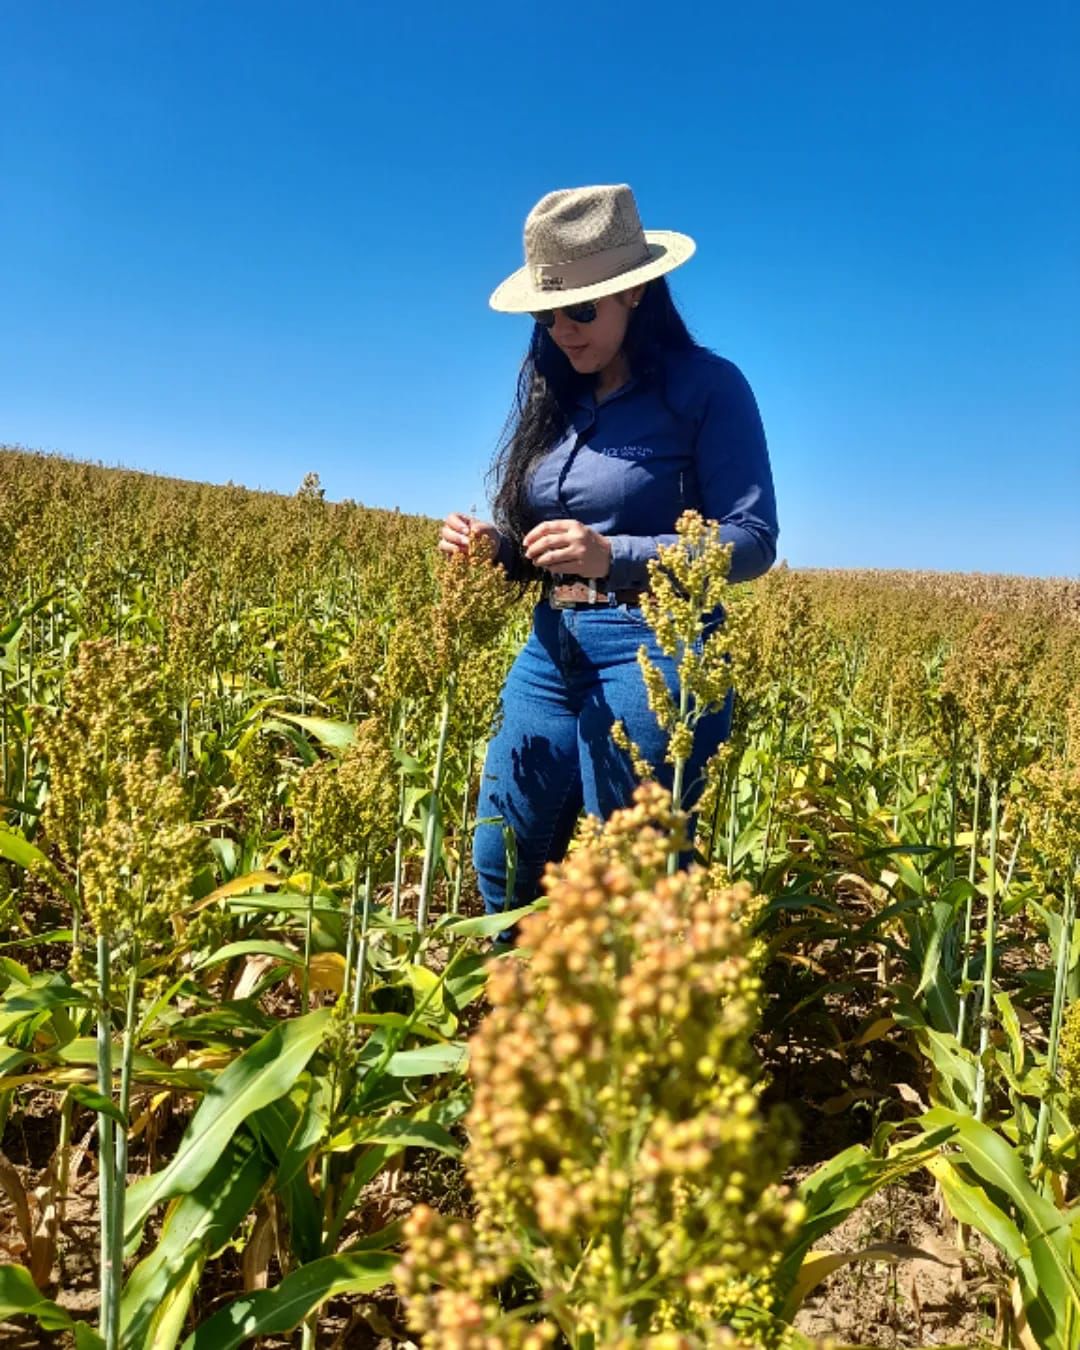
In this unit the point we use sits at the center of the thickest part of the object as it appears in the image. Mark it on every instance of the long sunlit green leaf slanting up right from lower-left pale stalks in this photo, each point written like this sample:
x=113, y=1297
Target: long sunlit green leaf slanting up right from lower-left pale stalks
x=261, y=1075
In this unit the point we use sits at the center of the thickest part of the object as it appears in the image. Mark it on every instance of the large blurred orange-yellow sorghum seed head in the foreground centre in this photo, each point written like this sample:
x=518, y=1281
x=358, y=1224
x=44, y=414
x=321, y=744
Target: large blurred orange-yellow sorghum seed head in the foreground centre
x=623, y=1168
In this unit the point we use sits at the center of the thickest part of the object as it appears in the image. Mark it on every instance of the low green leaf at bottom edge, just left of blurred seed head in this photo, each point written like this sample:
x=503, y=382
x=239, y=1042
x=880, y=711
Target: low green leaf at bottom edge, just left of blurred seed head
x=280, y=1310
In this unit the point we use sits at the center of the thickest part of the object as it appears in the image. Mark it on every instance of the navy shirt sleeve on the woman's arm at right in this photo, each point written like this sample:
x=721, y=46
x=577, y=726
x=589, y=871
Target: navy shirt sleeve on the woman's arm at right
x=736, y=488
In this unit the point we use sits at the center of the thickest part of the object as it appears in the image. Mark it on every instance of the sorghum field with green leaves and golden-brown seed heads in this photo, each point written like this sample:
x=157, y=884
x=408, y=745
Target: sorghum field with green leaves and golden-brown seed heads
x=261, y=1081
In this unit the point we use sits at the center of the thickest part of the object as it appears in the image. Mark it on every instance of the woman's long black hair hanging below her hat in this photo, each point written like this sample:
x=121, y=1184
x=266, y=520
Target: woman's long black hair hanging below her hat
x=547, y=391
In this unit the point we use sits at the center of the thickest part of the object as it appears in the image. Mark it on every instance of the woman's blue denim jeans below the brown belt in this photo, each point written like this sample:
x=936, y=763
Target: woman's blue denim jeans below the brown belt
x=553, y=754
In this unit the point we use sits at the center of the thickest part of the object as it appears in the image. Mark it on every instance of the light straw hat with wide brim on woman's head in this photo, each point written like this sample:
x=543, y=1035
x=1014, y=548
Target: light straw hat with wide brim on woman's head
x=583, y=244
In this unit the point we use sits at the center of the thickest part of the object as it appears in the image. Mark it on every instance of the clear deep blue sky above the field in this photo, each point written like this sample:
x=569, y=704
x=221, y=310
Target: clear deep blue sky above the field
x=245, y=241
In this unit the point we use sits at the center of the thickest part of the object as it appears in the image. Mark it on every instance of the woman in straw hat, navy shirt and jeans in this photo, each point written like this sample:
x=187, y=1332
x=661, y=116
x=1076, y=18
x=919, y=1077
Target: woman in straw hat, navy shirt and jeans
x=622, y=423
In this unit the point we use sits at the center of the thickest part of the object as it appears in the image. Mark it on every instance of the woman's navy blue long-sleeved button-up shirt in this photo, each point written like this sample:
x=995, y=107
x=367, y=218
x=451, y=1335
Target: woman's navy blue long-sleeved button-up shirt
x=689, y=437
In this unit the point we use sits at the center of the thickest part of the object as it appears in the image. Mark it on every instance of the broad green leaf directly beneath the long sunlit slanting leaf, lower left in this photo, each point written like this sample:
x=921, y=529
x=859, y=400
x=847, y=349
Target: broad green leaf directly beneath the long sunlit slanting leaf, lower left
x=196, y=1228
